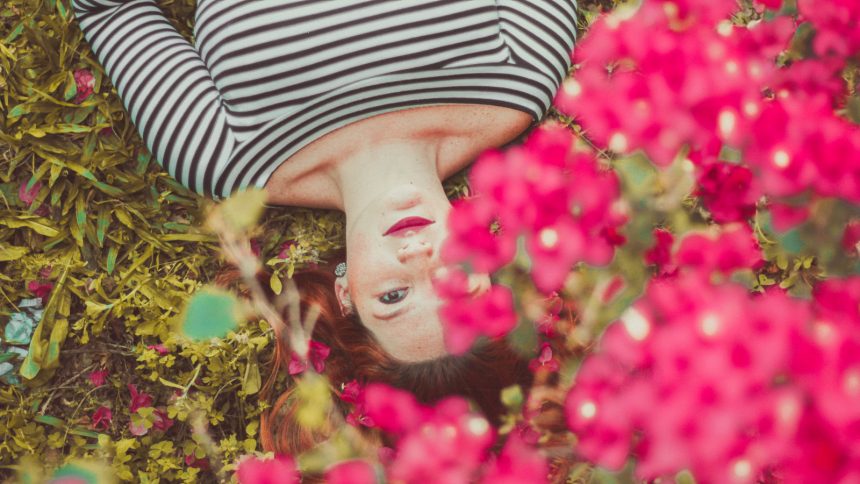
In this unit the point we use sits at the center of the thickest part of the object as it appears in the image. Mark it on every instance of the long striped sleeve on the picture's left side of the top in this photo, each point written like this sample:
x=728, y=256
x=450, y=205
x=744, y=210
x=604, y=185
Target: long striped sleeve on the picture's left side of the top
x=164, y=85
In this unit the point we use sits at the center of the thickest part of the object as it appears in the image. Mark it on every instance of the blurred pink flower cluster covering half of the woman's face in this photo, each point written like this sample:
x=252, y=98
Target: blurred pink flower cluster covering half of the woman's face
x=560, y=202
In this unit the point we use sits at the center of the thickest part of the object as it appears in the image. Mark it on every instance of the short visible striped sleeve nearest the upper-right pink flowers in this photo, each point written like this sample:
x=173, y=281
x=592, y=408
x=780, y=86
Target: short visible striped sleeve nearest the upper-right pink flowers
x=540, y=33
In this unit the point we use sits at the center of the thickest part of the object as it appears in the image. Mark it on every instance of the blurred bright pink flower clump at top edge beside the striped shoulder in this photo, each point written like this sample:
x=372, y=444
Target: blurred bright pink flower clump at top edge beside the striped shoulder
x=696, y=82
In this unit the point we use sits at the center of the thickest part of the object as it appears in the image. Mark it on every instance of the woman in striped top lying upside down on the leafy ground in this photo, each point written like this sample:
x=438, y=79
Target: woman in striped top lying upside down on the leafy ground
x=361, y=106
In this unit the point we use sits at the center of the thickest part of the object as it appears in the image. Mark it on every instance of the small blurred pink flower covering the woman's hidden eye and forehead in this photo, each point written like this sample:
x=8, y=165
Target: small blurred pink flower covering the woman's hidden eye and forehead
x=490, y=314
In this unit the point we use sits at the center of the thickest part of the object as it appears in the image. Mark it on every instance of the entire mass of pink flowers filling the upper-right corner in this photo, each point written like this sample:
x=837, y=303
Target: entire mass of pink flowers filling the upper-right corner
x=702, y=83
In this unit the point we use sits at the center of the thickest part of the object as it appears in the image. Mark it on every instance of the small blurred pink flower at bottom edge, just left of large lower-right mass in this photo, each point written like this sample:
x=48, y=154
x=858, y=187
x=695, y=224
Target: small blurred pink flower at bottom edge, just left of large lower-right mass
x=518, y=463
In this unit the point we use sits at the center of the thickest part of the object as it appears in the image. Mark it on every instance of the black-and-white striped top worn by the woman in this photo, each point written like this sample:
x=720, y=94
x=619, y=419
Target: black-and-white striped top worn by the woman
x=267, y=77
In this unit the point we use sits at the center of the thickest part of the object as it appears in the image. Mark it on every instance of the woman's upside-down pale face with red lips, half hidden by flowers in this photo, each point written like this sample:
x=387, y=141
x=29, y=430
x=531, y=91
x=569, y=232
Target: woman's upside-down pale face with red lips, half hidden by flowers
x=392, y=256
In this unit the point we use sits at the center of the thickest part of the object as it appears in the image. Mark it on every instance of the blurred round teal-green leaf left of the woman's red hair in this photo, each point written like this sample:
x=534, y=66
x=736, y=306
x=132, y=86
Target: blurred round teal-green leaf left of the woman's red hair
x=211, y=313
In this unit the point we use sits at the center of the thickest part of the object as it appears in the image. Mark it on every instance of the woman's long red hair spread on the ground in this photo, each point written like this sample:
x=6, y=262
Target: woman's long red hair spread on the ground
x=478, y=375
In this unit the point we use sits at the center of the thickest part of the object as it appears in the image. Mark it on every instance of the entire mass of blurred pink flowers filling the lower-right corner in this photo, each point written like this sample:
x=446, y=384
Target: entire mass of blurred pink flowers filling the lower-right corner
x=707, y=377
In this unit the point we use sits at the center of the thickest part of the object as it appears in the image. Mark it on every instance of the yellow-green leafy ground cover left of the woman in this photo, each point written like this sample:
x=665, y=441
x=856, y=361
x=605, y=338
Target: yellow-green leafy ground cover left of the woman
x=122, y=244
